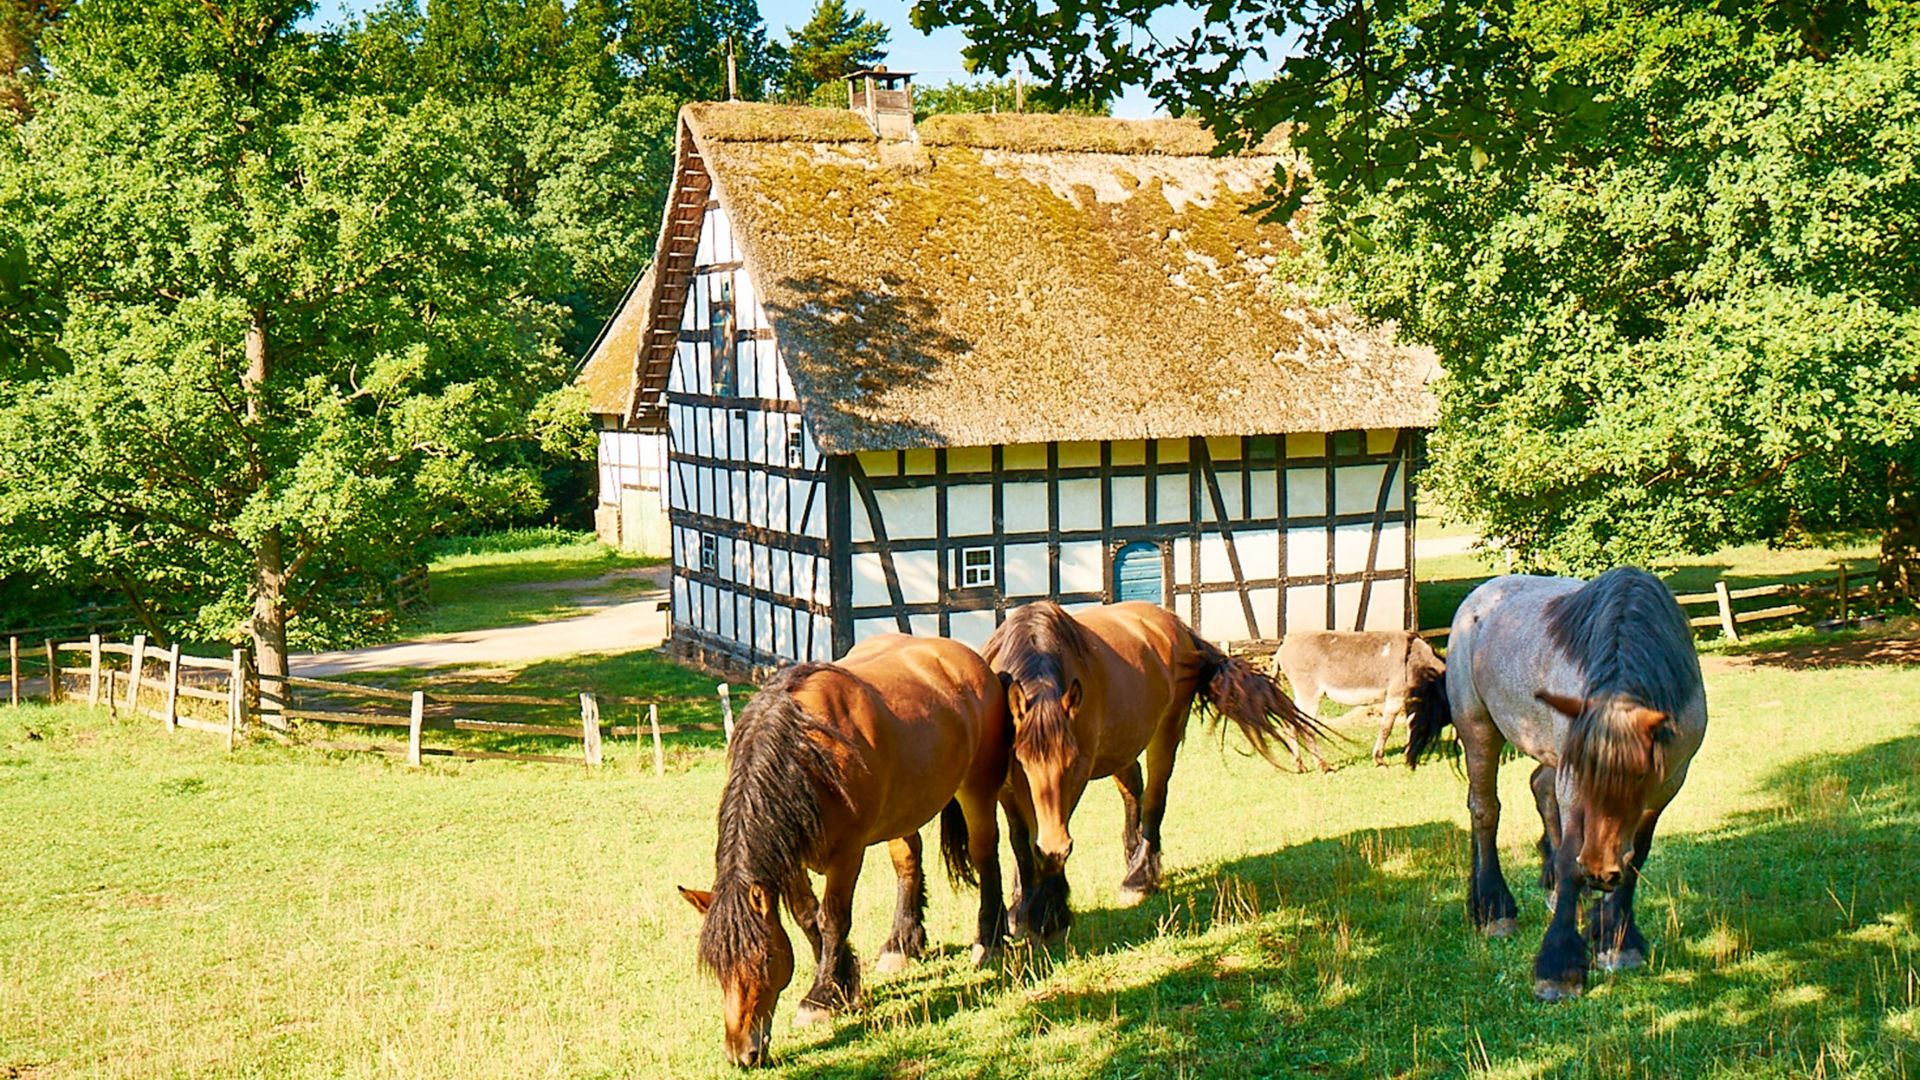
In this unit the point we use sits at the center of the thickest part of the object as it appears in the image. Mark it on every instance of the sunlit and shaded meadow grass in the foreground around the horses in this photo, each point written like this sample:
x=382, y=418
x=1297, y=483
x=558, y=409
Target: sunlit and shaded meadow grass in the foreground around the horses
x=174, y=910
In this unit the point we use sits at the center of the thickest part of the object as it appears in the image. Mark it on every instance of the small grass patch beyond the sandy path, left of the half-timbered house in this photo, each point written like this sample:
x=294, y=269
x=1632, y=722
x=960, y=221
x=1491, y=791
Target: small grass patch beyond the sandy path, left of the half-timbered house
x=525, y=576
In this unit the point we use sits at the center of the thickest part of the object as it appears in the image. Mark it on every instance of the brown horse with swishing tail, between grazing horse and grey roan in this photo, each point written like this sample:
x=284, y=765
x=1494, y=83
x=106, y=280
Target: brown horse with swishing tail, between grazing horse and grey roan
x=1092, y=693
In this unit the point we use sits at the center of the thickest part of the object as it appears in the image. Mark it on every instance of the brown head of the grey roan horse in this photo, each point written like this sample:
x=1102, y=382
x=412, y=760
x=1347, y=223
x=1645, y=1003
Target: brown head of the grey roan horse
x=1618, y=760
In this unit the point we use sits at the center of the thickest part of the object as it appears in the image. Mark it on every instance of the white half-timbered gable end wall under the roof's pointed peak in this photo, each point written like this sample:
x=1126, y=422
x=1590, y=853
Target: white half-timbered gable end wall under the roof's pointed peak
x=748, y=495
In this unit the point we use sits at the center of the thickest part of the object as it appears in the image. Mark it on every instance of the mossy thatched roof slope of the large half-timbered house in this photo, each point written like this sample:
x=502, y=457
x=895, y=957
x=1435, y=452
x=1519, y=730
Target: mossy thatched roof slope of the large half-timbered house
x=1036, y=278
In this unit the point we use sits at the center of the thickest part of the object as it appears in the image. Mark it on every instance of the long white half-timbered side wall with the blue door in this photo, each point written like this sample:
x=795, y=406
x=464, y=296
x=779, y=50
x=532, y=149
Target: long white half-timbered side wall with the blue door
x=1257, y=535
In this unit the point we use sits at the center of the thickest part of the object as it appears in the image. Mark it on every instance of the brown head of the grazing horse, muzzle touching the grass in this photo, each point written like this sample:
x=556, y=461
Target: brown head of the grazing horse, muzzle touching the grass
x=750, y=952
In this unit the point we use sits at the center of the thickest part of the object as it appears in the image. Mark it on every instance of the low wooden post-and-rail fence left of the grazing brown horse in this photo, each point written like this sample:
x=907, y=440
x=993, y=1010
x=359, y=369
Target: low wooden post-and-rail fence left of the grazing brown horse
x=164, y=685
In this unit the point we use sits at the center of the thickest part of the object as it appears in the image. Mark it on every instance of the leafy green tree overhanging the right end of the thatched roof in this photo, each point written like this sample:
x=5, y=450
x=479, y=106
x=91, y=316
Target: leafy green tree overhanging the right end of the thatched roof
x=1664, y=251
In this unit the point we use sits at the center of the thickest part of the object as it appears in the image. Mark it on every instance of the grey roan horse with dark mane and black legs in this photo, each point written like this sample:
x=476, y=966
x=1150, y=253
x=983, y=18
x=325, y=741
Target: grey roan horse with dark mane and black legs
x=1600, y=685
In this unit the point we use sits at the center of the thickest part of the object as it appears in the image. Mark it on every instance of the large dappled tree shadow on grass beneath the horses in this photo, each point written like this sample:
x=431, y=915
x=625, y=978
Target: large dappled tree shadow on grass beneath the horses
x=1785, y=945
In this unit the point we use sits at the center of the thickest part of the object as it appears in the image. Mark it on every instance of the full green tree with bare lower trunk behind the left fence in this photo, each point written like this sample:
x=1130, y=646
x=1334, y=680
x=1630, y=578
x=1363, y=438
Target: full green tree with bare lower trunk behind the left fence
x=291, y=326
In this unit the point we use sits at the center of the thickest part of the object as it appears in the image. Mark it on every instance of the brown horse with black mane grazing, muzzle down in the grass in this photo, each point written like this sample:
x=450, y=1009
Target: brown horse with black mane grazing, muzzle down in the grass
x=827, y=762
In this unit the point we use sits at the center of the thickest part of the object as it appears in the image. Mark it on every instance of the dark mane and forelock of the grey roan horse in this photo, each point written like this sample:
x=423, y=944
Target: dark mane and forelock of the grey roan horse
x=1633, y=643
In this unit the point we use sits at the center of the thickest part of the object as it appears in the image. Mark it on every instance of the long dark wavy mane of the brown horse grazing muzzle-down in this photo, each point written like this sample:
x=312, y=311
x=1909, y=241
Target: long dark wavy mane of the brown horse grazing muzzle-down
x=771, y=816
